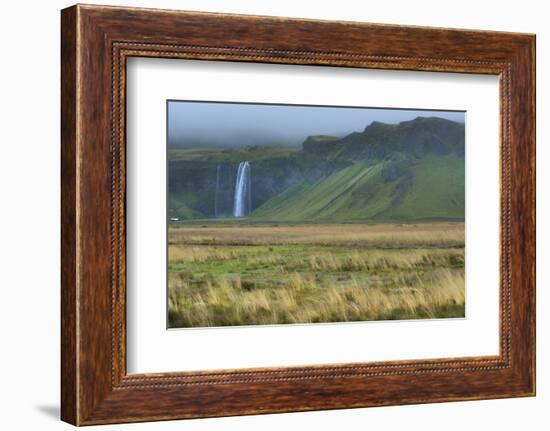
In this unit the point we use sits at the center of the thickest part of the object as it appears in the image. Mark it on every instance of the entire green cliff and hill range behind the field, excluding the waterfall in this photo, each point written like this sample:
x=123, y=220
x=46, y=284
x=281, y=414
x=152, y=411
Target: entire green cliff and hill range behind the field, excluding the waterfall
x=409, y=171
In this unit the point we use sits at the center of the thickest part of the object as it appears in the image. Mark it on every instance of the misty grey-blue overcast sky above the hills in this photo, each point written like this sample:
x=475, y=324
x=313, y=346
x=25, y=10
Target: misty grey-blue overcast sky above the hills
x=241, y=124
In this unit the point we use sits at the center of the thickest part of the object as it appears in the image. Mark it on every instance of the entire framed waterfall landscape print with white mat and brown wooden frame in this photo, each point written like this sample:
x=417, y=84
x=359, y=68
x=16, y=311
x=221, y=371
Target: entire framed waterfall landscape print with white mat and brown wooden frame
x=263, y=215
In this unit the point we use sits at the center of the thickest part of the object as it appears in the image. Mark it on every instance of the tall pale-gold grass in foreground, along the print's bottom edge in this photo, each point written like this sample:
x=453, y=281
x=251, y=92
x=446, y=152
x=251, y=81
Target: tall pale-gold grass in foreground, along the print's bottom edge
x=301, y=300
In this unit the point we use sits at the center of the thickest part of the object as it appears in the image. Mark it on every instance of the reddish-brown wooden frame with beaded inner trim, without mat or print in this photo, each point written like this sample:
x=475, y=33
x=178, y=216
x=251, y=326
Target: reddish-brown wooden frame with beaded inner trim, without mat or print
x=95, y=43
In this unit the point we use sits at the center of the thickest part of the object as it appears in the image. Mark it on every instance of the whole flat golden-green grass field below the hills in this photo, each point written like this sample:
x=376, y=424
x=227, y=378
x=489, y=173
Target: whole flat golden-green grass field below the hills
x=246, y=274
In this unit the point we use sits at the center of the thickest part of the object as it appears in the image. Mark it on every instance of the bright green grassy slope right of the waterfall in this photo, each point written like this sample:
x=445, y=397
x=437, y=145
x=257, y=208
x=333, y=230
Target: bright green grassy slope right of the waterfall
x=360, y=193
